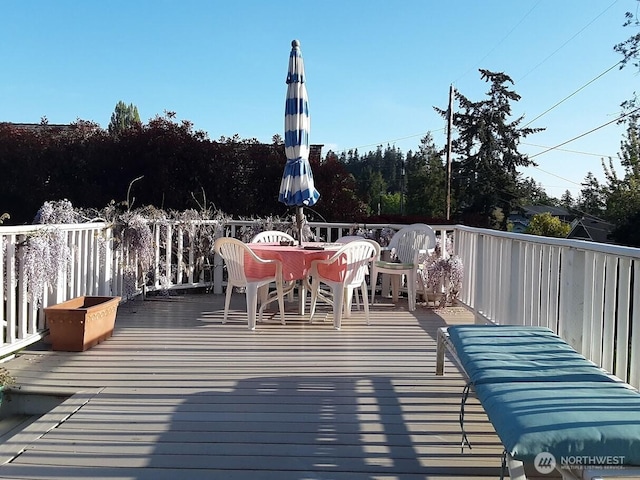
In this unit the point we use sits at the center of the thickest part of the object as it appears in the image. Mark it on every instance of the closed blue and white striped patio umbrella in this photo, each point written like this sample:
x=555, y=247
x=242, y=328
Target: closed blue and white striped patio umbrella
x=297, y=188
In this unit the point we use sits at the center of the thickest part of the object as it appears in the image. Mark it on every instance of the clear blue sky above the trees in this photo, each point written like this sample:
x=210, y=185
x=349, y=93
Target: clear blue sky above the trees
x=375, y=68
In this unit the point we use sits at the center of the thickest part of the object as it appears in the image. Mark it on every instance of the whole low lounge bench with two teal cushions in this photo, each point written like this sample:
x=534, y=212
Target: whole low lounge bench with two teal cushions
x=544, y=397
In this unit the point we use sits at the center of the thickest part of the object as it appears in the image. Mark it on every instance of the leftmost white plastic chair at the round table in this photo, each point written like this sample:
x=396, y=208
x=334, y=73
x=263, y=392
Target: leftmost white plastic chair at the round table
x=246, y=269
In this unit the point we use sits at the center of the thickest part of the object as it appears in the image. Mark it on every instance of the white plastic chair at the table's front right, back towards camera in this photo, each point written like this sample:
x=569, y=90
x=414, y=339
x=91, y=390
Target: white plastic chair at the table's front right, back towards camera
x=343, y=272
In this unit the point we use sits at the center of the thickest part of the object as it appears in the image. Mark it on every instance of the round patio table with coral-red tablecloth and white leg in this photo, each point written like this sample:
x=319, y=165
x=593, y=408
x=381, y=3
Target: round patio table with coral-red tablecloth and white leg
x=296, y=263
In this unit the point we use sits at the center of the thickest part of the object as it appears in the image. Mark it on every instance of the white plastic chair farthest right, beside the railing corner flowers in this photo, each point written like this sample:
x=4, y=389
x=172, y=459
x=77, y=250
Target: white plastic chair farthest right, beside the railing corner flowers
x=407, y=245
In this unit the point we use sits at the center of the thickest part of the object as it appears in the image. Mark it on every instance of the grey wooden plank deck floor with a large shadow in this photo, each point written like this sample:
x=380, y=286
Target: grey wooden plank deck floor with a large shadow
x=176, y=394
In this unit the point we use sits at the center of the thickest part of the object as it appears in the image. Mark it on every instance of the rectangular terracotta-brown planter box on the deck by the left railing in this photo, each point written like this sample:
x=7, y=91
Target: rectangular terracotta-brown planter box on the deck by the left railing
x=82, y=322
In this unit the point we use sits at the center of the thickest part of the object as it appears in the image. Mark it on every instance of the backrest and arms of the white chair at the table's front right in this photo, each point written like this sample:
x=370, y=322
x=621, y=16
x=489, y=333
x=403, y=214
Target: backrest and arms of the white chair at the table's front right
x=349, y=265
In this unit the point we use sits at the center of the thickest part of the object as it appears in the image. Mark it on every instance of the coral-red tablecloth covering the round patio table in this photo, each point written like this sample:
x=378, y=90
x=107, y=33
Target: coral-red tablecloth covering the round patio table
x=296, y=261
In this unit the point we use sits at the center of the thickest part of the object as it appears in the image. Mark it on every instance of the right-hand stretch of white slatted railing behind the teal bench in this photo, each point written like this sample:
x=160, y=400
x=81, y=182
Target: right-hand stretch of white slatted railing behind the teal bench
x=588, y=293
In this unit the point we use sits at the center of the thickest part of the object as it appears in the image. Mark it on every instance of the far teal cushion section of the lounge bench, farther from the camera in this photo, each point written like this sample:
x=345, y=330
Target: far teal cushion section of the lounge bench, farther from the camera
x=510, y=353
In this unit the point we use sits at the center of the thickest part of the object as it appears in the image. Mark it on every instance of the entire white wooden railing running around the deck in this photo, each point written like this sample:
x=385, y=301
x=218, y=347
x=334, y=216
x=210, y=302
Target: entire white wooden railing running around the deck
x=588, y=293
